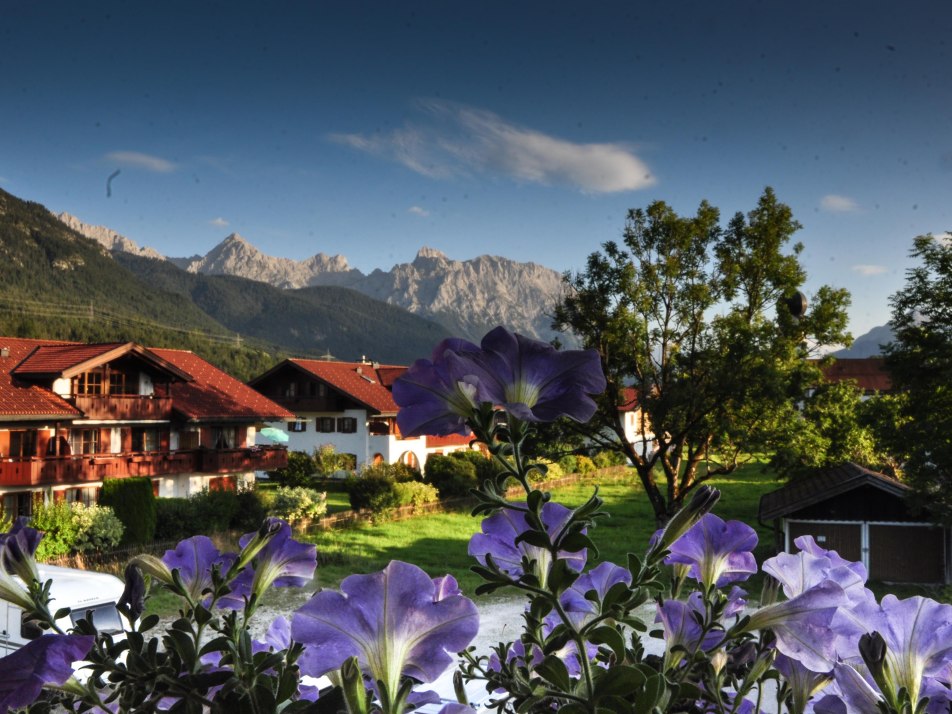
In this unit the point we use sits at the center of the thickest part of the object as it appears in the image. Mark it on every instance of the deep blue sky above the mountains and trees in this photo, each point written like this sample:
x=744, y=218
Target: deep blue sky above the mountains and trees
x=518, y=129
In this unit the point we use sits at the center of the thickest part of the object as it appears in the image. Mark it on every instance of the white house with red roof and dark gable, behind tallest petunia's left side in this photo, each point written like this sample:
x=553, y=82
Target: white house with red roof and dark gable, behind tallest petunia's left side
x=347, y=405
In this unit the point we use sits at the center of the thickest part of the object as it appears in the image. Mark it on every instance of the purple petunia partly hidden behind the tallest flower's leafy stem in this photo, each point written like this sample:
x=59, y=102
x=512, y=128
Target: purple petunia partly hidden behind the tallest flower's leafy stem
x=498, y=540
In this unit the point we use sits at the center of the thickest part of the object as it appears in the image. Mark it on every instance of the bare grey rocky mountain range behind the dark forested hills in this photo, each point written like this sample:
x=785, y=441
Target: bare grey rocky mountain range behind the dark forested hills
x=467, y=298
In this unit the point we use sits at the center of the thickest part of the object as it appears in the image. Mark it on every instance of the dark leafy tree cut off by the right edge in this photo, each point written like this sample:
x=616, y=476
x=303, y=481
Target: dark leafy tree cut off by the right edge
x=919, y=361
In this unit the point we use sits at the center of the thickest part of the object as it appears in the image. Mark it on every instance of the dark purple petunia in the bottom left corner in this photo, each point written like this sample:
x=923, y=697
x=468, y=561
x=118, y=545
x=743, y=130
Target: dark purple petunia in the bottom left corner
x=45, y=660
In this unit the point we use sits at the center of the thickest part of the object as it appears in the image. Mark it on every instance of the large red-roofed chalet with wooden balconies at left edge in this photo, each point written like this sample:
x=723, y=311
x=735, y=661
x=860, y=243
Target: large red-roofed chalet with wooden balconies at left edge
x=73, y=414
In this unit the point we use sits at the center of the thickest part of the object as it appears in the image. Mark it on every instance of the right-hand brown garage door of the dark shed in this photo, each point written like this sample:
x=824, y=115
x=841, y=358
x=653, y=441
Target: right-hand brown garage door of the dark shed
x=906, y=554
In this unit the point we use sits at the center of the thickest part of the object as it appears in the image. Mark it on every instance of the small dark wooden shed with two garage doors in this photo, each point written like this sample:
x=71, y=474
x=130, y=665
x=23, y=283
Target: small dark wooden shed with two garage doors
x=864, y=516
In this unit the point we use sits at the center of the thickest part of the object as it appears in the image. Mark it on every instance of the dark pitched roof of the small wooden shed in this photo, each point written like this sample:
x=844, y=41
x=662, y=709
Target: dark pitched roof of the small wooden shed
x=821, y=486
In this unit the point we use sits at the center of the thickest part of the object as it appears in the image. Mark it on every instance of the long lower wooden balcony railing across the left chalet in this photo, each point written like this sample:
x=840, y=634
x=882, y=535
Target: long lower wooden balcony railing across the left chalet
x=78, y=469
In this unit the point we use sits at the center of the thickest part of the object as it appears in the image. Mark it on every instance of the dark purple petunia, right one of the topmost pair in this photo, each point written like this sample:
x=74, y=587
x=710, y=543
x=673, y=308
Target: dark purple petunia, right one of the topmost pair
x=533, y=381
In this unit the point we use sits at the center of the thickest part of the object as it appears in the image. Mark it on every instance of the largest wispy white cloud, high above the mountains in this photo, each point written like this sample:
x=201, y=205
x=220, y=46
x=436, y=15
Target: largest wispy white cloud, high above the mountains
x=461, y=140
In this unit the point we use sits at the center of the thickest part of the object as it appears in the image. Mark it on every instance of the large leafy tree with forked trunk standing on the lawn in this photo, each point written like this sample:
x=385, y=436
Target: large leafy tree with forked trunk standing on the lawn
x=694, y=319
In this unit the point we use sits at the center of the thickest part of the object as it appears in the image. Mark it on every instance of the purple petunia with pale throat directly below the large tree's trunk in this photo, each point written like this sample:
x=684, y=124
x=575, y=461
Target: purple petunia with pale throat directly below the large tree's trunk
x=718, y=552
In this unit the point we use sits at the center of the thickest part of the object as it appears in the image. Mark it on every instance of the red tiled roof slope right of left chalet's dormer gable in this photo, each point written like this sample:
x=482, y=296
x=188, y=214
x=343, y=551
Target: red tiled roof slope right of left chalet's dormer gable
x=214, y=395
